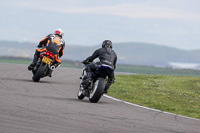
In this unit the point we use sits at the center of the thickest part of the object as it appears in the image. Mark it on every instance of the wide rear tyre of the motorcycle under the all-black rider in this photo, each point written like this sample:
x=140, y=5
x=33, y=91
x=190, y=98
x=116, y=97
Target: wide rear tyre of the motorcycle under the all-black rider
x=97, y=90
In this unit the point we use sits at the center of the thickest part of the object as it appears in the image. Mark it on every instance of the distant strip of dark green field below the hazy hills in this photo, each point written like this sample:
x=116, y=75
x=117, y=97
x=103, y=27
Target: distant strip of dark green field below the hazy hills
x=120, y=68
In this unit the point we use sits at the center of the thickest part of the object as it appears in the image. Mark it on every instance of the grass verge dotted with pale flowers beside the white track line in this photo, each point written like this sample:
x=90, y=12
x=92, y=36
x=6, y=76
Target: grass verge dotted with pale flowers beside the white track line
x=175, y=94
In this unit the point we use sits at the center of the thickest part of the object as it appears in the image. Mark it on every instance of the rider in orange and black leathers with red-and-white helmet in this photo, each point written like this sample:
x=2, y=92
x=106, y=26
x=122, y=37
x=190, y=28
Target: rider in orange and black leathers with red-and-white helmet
x=53, y=43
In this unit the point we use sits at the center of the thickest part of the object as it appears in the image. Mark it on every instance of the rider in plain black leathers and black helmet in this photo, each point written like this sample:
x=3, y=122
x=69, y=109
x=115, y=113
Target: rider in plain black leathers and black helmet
x=106, y=56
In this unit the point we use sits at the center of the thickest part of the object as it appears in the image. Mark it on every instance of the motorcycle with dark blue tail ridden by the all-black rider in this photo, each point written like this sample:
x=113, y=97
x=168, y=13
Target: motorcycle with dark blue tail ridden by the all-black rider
x=95, y=89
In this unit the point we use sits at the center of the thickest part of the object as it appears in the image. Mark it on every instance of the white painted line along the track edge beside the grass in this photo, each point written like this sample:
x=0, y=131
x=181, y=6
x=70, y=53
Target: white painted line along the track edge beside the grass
x=149, y=108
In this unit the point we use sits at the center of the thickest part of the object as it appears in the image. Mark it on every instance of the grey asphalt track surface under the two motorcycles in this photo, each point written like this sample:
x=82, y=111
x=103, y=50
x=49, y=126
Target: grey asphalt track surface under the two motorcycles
x=51, y=106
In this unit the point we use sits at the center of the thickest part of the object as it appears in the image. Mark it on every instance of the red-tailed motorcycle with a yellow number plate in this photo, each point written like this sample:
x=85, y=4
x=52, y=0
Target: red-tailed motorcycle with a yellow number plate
x=43, y=66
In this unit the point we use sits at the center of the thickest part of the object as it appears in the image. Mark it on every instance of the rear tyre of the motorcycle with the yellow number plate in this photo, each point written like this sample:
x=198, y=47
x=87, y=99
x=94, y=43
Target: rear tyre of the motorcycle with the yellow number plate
x=36, y=77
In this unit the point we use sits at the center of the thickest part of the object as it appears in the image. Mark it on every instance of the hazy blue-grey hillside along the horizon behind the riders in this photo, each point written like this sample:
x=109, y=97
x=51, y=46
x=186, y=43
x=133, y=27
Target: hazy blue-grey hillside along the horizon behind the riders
x=128, y=53
